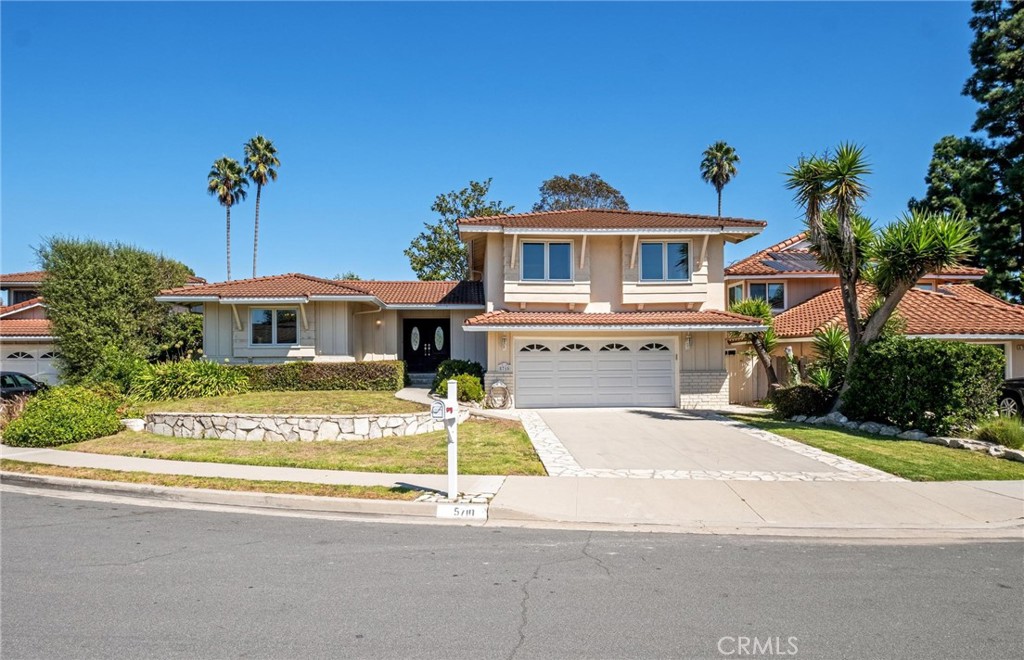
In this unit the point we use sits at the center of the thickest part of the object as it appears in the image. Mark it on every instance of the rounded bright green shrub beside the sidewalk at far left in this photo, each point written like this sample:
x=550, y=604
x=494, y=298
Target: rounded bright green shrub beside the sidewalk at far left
x=64, y=415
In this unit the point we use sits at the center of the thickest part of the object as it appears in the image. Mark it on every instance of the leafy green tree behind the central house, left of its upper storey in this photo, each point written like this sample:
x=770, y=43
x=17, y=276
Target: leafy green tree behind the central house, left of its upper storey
x=438, y=253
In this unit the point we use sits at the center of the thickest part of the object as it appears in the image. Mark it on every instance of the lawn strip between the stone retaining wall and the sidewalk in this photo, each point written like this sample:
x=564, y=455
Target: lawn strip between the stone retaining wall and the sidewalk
x=486, y=448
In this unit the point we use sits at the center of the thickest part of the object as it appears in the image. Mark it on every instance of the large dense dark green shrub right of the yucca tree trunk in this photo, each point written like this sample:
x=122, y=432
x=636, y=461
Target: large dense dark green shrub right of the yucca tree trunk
x=936, y=386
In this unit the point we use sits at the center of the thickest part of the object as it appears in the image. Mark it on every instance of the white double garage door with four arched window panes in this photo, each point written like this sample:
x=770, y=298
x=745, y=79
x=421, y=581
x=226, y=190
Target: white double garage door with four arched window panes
x=551, y=374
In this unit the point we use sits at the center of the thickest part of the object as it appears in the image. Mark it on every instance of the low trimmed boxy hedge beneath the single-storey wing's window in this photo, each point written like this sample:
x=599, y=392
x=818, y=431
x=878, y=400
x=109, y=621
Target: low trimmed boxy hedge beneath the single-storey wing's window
x=385, y=376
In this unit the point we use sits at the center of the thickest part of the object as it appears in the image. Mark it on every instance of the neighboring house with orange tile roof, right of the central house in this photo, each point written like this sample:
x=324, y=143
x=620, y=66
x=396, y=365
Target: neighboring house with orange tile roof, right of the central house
x=806, y=298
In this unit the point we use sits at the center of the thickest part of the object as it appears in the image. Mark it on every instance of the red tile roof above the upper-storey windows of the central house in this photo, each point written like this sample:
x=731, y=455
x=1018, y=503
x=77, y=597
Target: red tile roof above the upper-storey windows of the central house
x=611, y=222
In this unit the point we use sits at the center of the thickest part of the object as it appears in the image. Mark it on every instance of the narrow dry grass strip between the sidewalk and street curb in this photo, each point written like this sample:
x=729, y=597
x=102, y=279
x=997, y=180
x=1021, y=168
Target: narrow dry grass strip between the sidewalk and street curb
x=215, y=483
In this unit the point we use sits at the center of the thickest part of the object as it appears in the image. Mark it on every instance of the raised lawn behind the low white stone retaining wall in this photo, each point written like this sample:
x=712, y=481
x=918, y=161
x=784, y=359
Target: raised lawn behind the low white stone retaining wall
x=318, y=403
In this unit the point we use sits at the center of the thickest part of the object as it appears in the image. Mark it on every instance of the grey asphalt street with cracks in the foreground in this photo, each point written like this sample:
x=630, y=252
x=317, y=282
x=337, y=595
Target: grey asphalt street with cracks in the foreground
x=89, y=580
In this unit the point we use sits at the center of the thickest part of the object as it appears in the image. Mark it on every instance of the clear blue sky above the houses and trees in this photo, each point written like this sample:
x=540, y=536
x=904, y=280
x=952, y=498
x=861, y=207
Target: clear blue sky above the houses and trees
x=112, y=114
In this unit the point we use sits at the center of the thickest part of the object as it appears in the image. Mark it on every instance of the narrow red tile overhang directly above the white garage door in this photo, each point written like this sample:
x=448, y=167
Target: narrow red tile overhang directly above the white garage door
x=710, y=321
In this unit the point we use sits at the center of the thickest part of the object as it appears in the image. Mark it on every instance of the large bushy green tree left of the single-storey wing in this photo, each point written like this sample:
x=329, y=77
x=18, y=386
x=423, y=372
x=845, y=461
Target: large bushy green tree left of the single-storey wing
x=100, y=298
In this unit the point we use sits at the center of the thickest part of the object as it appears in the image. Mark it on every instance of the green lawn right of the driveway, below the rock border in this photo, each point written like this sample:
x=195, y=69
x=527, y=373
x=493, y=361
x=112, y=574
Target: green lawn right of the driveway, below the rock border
x=914, y=461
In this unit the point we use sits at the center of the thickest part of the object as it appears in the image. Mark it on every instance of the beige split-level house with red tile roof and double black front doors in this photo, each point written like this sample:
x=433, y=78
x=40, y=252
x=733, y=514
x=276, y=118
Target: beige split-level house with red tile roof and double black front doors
x=567, y=309
